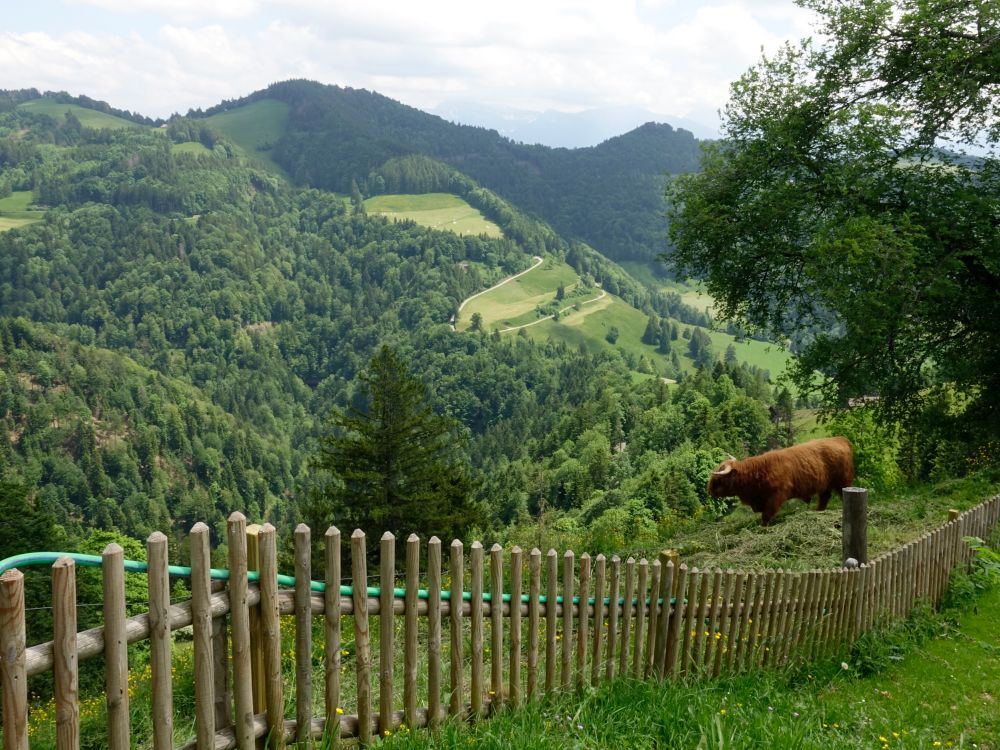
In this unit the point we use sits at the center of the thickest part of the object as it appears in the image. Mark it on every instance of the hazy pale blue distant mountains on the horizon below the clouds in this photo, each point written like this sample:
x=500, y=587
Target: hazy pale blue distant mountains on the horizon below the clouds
x=563, y=129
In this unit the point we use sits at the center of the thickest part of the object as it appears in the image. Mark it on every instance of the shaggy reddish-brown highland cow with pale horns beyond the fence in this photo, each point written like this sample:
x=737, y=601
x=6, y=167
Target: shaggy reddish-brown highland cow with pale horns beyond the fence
x=765, y=482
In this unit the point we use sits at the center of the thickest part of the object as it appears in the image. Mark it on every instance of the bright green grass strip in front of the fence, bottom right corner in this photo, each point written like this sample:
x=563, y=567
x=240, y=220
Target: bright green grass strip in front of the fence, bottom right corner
x=932, y=692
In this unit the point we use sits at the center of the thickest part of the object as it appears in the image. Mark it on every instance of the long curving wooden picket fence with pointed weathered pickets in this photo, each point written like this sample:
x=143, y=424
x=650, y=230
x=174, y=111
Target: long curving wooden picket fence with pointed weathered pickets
x=598, y=619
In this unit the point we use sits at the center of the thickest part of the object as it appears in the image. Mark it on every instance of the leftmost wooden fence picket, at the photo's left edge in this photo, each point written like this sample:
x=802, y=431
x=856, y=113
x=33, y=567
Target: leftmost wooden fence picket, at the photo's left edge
x=13, y=671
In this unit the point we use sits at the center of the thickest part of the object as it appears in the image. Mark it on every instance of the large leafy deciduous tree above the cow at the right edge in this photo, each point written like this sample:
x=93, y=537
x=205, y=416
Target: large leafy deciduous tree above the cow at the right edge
x=853, y=204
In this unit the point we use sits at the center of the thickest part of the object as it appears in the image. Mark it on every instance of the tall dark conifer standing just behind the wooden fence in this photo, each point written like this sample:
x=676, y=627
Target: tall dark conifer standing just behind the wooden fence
x=396, y=464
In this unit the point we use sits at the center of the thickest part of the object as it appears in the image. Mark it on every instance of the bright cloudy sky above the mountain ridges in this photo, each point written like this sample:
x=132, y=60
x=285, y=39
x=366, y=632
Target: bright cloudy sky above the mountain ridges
x=163, y=56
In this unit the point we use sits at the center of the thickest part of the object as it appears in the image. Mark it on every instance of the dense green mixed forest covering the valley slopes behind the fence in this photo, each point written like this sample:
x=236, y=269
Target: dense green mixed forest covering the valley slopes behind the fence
x=177, y=330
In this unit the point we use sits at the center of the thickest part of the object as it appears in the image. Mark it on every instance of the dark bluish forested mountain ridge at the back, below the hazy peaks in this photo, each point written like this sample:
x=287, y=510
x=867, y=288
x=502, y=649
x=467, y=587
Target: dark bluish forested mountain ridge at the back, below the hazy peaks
x=610, y=195
